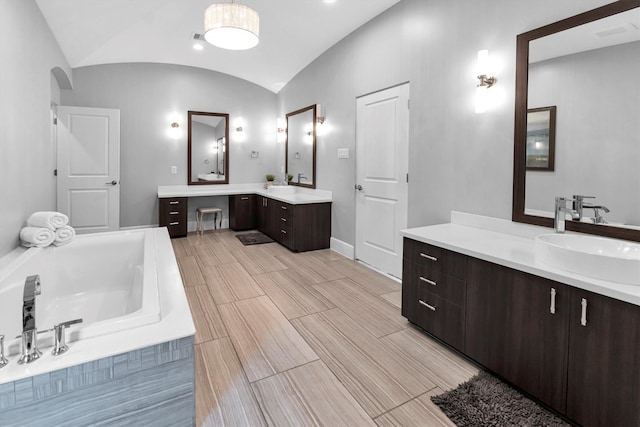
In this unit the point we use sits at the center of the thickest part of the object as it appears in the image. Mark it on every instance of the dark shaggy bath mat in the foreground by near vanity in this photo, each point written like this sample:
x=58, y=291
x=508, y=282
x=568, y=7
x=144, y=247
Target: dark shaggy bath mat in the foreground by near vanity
x=484, y=400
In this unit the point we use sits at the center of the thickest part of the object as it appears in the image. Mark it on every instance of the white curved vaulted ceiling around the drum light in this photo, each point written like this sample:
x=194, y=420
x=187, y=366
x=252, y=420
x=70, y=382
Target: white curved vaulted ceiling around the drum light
x=292, y=33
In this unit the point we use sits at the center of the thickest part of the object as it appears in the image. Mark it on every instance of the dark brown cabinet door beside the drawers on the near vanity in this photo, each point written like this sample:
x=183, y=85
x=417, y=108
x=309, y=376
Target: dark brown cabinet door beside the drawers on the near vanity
x=512, y=331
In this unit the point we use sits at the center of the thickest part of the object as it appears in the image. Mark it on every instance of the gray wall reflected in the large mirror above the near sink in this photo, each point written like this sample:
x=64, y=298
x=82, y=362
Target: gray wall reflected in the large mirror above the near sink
x=597, y=94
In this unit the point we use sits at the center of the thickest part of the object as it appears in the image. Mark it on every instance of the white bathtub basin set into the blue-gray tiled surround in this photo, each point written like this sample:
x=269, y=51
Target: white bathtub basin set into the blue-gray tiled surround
x=108, y=280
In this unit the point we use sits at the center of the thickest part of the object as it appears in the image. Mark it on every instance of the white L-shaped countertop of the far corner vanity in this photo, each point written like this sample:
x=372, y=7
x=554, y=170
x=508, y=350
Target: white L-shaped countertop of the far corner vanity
x=302, y=195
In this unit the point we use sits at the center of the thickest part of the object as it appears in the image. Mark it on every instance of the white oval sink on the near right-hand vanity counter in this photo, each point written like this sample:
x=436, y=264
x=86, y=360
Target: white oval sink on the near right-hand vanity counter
x=597, y=257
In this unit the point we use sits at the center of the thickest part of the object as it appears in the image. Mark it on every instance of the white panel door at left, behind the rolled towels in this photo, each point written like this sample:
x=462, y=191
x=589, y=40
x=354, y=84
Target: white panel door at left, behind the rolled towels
x=88, y=161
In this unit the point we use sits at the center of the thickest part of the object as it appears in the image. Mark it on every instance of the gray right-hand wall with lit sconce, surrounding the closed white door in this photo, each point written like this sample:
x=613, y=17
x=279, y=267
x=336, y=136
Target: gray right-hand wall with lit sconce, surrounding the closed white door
x=459, y=160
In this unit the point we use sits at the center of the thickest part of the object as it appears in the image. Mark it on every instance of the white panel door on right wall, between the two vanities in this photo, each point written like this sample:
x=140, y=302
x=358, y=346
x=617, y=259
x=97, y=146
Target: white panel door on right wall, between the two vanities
x=382, y=164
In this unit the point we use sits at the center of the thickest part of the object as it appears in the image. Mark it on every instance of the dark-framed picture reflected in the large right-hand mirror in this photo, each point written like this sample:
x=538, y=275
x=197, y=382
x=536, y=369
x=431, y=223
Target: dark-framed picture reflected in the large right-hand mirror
x=541, y=139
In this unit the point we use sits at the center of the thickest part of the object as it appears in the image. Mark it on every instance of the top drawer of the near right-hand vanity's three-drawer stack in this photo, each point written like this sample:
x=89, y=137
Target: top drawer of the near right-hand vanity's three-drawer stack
x=439, y=259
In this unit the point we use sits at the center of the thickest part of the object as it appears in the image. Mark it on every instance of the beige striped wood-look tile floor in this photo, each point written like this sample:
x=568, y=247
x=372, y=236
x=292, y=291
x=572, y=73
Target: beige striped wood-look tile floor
x=310, y=339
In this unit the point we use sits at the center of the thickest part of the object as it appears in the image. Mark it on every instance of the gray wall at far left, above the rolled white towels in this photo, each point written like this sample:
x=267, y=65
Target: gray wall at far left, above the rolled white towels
x=28, y=53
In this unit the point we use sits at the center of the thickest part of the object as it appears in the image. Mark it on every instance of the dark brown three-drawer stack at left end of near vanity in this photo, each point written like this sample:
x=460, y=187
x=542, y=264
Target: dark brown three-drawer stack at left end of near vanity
x=434, y=291
